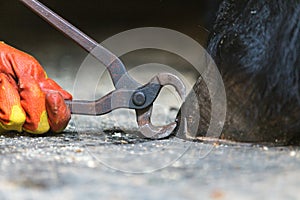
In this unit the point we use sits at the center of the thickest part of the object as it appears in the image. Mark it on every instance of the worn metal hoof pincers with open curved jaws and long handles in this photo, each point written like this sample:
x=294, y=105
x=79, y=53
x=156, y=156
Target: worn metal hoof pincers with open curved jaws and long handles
x=128, y=93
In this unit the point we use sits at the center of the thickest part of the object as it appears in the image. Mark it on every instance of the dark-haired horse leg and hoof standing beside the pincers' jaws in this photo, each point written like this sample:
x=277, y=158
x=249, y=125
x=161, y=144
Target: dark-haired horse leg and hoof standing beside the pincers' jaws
x=256, y=47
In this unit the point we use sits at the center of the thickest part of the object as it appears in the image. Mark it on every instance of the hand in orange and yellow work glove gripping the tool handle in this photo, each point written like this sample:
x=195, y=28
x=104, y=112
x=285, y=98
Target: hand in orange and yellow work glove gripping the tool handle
x=29, y=101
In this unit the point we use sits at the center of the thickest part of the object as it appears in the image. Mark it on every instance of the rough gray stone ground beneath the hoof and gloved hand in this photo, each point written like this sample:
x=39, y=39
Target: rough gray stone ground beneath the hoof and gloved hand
x=90, y=164
